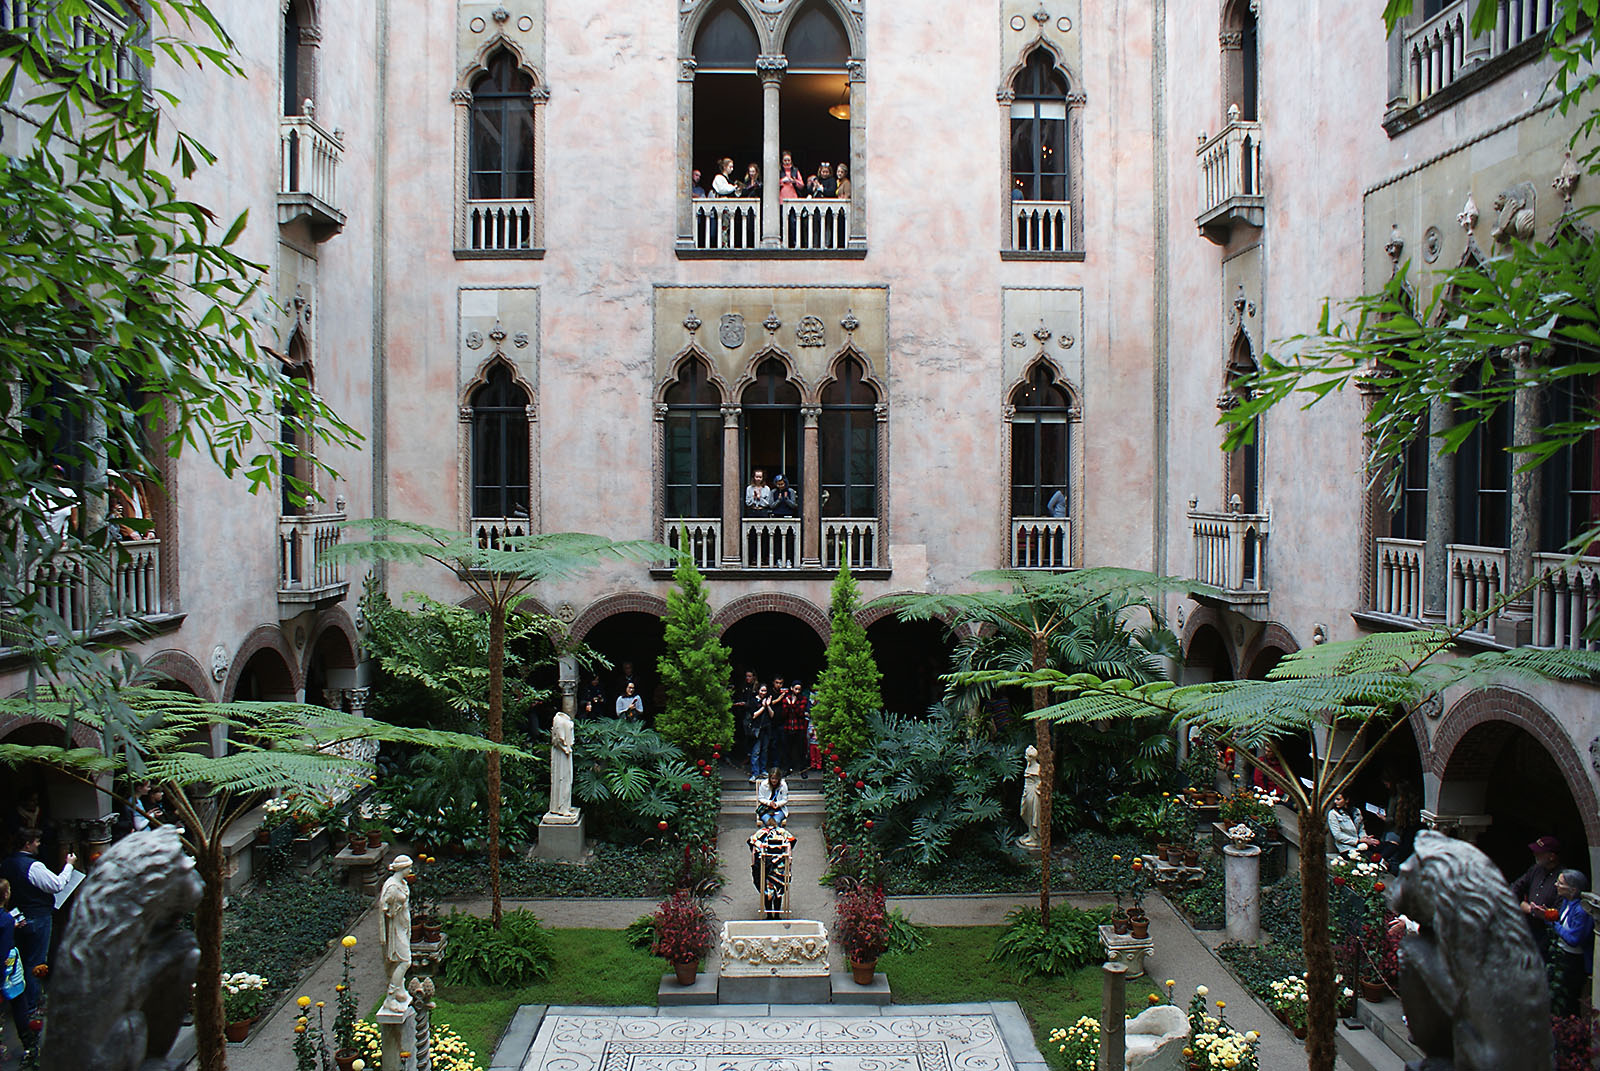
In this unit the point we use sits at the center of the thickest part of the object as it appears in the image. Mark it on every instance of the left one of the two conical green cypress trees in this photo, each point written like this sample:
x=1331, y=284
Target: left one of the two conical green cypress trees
x=694, y=668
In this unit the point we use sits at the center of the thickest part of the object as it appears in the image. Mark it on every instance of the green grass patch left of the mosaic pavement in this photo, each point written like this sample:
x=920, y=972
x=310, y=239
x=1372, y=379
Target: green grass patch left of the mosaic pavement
x=591, y=968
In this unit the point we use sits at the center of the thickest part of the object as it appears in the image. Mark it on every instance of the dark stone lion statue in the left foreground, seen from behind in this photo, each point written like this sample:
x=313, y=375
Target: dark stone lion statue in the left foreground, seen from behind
x=126, y=965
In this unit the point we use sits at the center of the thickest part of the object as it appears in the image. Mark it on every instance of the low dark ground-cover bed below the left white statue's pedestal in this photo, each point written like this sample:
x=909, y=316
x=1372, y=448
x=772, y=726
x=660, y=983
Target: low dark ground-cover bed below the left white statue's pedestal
x=615, y=873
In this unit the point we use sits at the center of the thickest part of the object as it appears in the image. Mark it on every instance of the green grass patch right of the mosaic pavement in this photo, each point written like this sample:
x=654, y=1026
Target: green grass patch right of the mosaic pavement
x=954, y=969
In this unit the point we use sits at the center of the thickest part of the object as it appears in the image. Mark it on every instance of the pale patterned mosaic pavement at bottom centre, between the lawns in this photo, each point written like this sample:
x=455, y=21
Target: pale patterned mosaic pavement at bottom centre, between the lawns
x=770, y=1043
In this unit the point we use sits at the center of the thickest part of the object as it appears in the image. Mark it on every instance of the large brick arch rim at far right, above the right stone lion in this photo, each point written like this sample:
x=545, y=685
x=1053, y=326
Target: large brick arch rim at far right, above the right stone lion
x=1502, y=712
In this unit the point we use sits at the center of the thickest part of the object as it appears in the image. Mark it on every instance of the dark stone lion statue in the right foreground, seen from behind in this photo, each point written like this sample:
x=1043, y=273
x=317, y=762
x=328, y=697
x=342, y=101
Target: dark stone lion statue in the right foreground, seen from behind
x=1471, y=981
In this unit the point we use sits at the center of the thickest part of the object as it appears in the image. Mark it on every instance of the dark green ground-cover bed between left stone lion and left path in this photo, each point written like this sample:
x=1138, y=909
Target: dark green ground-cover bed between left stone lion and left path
x=284, y=925
